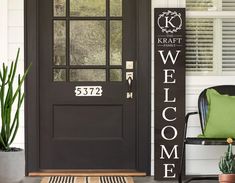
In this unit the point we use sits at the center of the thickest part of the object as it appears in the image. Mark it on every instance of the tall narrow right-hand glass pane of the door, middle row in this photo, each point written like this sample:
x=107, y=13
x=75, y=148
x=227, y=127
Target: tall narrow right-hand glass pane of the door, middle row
x=115, y=42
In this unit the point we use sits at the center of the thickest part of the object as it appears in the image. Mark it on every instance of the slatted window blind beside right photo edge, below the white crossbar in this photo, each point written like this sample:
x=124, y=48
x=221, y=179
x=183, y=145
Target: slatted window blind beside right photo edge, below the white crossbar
x=228, y=45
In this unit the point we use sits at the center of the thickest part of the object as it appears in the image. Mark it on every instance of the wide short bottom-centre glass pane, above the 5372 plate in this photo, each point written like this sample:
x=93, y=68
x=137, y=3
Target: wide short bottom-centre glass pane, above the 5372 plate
x=87, y=75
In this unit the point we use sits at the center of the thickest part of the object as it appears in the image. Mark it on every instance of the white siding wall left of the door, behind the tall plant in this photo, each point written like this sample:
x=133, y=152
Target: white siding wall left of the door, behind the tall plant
x=11, y=38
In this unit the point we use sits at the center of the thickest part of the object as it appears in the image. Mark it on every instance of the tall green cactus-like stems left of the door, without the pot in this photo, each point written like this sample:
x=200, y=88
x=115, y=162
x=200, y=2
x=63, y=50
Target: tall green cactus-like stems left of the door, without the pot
x=8, y=95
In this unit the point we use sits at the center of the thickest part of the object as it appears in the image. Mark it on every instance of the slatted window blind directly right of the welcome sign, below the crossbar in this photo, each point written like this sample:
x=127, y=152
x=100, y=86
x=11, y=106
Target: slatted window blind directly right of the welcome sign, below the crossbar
x=199, y=45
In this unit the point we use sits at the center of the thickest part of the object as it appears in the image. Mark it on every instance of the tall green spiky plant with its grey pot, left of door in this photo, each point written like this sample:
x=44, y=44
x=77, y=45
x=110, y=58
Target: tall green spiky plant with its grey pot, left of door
x=12, y=164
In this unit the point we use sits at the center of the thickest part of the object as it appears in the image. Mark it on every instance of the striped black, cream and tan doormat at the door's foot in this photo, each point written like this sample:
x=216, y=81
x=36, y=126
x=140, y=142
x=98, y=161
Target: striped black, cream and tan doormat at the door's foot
x=69, y=179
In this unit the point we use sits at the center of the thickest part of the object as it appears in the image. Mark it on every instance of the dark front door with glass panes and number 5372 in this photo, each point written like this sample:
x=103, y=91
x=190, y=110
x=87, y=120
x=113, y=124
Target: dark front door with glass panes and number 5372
x=88, y=91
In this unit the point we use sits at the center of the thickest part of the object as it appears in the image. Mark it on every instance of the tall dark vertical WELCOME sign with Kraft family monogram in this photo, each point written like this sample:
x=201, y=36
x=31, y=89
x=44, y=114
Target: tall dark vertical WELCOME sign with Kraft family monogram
x=169, y=90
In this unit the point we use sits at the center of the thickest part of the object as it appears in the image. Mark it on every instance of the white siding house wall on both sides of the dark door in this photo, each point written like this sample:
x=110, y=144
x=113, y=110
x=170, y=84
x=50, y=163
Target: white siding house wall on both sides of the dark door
x=11, y=36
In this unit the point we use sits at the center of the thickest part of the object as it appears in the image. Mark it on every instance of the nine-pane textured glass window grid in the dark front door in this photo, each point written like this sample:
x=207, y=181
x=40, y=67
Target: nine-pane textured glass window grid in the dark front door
x=105, y=69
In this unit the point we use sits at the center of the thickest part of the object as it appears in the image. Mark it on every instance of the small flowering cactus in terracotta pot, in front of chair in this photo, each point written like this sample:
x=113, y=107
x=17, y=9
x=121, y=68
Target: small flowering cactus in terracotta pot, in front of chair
x=227, y=165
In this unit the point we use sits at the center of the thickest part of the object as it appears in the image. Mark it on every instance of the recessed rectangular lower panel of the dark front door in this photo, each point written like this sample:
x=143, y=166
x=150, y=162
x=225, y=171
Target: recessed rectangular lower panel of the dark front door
x=98, y=125
